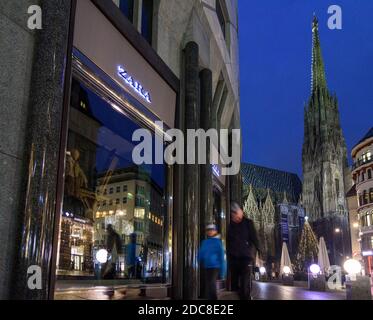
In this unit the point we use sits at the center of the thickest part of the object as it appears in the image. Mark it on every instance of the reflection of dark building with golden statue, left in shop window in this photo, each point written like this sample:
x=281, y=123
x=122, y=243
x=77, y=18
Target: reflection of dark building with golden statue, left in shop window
x=75, y=246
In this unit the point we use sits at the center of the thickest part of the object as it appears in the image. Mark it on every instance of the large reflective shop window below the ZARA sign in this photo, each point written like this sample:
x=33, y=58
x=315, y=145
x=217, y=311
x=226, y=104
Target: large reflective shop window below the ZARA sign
x=99, y=171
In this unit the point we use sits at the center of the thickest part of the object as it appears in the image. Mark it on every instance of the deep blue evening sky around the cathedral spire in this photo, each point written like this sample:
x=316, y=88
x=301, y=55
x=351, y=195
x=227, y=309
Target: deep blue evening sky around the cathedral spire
x=275, y=67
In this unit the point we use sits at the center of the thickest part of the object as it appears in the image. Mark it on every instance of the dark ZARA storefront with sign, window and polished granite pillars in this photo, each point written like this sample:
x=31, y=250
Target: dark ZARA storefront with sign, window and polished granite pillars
x=104, y=81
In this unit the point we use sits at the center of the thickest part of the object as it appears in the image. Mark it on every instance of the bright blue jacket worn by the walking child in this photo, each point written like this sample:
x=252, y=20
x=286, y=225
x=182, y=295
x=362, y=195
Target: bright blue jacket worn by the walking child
x=211, y=255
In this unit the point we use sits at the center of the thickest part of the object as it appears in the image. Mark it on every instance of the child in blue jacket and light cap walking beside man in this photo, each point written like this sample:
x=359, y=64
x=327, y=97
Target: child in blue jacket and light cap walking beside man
x=212, y=258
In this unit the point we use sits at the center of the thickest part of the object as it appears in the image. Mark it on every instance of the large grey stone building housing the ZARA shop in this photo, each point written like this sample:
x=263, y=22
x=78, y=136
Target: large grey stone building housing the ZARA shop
x=112, y=67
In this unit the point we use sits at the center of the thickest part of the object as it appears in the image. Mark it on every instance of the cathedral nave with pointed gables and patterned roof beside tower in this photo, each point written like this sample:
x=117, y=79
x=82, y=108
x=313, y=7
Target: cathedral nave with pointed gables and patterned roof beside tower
x=272, y=200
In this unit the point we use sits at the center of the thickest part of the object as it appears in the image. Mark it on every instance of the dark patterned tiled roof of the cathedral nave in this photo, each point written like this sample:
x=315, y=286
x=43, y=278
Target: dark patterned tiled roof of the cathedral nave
x=275, y=180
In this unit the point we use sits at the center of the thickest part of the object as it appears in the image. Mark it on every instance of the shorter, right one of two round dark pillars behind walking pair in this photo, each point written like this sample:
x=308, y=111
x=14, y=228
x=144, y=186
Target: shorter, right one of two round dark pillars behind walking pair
x=206, y=207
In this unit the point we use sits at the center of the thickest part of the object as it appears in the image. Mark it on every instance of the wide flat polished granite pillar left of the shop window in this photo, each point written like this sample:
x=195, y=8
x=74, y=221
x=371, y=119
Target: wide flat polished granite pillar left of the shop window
x=38, y=205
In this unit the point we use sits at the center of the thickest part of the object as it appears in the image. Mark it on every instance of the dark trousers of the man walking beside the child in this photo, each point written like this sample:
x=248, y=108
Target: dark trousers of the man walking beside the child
x=241, y=270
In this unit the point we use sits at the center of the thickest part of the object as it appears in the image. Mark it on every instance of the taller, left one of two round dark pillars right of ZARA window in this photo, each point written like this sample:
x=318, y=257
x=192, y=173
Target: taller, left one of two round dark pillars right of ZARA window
x=191, y=177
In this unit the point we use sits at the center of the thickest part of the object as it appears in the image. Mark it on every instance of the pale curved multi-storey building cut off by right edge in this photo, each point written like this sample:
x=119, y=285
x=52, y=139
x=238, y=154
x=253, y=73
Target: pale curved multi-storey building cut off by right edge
x=362, y=173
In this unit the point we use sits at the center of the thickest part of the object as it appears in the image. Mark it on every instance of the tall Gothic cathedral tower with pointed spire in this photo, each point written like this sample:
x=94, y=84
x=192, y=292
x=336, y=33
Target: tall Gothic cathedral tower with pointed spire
x=325, y=168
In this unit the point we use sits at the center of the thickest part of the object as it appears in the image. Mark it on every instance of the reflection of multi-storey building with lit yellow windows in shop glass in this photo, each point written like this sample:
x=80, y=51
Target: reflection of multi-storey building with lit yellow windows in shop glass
x=133, y=204
